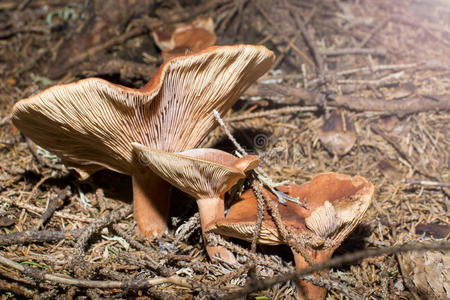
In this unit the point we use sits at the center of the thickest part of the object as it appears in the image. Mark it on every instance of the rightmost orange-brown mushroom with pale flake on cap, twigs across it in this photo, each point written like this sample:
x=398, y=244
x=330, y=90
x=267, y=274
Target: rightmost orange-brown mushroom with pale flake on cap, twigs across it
x=335, y=203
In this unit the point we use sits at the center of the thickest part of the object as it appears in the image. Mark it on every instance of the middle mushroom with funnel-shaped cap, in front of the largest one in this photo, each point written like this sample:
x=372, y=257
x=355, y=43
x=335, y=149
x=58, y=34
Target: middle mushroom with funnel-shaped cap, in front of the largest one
x=205, y=174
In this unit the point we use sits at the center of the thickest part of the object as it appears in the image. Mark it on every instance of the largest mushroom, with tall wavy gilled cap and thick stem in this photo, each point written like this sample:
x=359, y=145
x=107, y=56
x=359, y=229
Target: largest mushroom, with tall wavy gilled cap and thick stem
x=91, y=124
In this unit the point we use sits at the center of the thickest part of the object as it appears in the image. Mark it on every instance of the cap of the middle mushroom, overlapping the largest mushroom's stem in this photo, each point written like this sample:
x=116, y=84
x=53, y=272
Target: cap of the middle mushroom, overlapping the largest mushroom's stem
x=202, y=173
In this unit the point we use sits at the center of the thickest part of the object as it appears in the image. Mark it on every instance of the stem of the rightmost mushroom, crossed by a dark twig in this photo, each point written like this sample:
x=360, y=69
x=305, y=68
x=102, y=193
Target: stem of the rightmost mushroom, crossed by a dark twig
x=305, y=289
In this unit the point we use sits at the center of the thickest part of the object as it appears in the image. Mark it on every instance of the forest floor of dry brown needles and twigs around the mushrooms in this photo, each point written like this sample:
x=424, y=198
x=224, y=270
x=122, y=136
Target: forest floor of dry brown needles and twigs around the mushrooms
x=379, y=67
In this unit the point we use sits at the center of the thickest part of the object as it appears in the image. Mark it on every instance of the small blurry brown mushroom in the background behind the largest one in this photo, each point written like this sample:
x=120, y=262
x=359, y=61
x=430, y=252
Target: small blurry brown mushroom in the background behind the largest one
x=192, y=37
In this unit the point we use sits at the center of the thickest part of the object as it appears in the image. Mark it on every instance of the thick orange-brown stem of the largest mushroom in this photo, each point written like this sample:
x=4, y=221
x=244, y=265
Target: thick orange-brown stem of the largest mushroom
x=151, y=198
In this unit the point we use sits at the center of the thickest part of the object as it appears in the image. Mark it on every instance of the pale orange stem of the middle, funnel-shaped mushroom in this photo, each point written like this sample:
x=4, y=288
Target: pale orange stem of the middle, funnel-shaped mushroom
x=211, y=209
